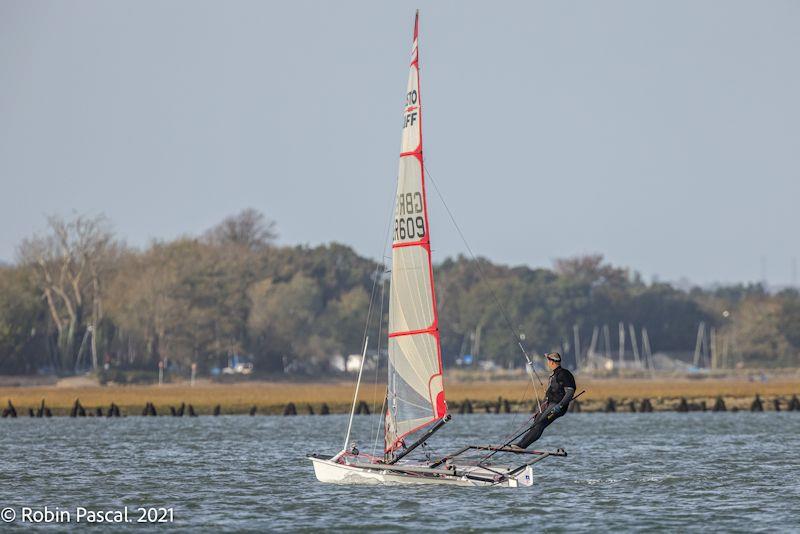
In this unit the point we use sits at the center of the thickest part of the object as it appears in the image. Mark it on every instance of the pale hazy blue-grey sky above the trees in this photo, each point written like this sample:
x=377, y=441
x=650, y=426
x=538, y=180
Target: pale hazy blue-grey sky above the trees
x=664, y=135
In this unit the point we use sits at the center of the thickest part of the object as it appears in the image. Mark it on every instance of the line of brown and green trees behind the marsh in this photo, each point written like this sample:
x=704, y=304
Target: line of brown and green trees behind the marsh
x=78, y=298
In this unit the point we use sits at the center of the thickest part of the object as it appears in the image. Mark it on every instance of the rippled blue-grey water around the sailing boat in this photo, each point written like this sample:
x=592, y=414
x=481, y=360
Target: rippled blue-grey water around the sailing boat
x=667, y=471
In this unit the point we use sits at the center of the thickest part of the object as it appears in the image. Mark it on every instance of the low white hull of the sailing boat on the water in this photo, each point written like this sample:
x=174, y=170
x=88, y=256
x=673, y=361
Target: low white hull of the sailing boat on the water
x=333, y=472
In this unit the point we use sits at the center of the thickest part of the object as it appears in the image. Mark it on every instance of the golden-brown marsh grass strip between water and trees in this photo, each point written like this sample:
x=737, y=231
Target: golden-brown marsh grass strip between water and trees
x=273, y=397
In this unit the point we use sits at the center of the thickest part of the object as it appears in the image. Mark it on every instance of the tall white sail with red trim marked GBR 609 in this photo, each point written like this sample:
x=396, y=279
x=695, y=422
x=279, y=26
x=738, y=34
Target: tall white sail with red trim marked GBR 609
x=415, y=394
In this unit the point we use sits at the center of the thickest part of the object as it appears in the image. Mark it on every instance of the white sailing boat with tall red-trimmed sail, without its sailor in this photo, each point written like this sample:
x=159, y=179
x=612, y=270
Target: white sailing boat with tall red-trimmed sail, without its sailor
x=415, y=400
